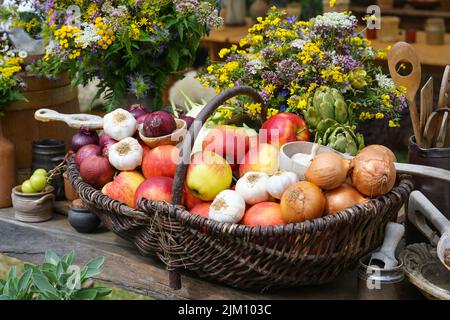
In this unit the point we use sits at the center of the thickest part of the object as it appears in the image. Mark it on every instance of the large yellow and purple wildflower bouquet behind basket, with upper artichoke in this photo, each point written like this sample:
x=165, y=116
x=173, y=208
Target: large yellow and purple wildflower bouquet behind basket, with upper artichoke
x=320, y=68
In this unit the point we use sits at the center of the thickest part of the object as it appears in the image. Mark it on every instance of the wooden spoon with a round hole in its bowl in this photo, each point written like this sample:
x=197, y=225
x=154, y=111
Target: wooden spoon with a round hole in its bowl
x=403, y=52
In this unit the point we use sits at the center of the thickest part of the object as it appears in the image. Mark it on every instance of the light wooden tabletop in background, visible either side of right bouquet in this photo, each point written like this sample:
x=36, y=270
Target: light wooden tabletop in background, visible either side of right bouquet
x=432, y=55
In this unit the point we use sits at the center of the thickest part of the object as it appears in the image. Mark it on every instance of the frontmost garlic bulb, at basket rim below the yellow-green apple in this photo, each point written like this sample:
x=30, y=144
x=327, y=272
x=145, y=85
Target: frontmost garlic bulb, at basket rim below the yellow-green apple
x=228, y=206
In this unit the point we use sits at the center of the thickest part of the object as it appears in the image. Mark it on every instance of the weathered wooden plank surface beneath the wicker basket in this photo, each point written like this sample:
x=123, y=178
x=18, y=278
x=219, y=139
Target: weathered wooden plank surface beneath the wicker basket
x=127, y=269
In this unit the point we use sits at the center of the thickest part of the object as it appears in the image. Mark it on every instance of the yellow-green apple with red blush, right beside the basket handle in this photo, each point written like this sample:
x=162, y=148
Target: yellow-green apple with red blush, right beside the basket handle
x=207, y=175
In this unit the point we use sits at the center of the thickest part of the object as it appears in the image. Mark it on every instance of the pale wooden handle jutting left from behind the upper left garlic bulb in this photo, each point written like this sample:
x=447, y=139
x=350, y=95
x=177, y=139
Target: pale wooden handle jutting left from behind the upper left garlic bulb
x=73, y=120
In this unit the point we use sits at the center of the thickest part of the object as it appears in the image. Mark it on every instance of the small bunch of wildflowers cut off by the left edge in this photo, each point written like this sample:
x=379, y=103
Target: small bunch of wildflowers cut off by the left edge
x=11, y=62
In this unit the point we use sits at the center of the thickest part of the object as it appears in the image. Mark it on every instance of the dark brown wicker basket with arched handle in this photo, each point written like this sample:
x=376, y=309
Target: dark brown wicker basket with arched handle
x=255, y=258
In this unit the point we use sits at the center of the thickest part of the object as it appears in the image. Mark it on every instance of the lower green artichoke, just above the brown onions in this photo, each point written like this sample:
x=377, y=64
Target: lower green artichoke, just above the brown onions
x=342, y=138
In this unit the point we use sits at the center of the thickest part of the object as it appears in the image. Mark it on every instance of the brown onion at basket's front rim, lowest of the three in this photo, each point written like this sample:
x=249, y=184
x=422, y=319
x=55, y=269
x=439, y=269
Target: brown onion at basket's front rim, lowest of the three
x=302, y=201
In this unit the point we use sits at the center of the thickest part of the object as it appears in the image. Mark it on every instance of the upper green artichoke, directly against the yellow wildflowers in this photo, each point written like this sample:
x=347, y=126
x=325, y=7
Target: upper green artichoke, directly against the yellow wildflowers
x=328, y=104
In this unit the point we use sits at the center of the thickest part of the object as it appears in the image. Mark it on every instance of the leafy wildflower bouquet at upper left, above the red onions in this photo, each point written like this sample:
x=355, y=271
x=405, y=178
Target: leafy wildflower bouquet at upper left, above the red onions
x=131, y=46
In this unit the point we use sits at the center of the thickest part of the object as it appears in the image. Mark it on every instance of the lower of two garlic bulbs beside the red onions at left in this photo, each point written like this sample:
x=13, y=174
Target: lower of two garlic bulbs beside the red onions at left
x=126, y=154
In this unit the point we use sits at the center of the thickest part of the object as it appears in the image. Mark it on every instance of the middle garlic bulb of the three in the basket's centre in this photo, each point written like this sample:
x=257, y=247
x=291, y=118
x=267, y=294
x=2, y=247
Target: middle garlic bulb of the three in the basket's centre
x=252, y=186
